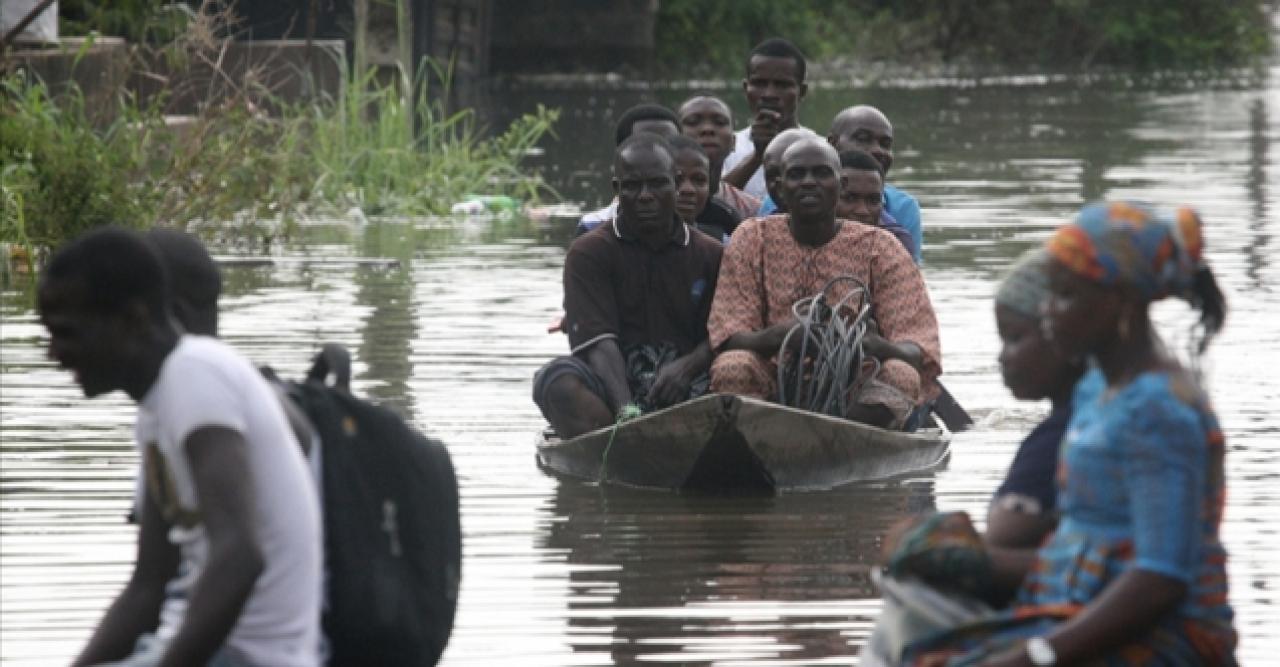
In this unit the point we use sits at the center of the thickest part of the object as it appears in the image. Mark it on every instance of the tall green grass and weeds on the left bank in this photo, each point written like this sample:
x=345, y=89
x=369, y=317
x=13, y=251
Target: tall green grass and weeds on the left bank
x=388, y=148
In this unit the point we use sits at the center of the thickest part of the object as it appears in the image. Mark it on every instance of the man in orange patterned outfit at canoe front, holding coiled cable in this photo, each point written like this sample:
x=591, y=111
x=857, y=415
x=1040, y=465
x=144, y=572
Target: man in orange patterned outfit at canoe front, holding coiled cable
x=779, y=261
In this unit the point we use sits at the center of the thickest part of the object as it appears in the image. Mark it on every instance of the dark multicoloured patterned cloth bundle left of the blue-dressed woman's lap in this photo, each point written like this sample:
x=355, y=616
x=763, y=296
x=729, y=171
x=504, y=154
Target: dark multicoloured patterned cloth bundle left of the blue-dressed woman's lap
x=945, y=551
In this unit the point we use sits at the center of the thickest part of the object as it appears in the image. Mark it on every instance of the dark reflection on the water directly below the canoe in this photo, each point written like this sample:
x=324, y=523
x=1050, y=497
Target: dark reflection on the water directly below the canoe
x=720, y=579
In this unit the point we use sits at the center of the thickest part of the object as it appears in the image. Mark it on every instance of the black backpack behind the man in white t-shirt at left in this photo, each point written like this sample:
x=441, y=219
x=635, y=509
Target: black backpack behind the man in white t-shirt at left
x=394, y=546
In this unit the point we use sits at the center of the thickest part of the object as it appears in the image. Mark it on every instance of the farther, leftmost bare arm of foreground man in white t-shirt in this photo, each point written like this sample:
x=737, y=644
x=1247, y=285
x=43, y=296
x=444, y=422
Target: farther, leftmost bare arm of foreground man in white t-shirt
x=138, y=609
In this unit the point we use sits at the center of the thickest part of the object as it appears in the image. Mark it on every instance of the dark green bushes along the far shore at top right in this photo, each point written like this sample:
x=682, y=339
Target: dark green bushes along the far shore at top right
x=1031, y=34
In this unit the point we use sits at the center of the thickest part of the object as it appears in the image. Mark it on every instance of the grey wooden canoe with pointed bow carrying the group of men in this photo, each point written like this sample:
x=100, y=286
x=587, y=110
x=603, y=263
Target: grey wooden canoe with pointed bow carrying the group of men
x=732, y=444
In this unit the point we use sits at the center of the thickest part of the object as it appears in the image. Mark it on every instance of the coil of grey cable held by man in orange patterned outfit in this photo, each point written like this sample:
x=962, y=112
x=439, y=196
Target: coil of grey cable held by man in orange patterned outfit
x=831, y=339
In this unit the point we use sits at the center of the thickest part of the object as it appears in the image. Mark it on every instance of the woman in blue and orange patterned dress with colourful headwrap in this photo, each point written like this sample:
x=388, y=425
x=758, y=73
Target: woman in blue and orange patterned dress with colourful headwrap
x=1135, y=573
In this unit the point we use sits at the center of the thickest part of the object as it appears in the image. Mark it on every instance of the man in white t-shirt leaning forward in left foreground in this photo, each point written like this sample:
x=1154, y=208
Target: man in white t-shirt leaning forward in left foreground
x=227, y=488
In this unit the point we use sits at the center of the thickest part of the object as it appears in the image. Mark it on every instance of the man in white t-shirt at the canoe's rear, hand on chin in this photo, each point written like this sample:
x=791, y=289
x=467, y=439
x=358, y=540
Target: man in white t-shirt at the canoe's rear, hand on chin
x=774, y=86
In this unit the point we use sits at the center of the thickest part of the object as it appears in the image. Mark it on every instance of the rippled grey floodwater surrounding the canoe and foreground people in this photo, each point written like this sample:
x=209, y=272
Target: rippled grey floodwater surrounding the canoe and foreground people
x=561, y=573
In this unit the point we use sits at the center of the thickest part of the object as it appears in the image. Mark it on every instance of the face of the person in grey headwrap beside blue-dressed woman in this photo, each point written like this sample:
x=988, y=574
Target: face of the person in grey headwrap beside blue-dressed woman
x=1031, y=367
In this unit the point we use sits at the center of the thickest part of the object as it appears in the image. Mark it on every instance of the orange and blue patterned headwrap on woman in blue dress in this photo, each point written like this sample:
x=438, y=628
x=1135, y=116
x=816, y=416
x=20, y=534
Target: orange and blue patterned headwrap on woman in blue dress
x=1132, y=245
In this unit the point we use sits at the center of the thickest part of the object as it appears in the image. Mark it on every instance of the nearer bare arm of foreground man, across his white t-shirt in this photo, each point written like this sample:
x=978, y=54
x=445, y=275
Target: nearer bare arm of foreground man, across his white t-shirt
x=220, y=467
